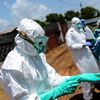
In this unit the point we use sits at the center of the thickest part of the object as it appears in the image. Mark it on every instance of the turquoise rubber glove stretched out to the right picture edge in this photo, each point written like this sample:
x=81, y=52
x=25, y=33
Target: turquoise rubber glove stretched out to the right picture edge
x=87, y=77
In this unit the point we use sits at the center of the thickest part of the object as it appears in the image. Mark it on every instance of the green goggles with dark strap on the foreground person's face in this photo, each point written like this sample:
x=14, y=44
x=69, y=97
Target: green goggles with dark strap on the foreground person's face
x=39, y=42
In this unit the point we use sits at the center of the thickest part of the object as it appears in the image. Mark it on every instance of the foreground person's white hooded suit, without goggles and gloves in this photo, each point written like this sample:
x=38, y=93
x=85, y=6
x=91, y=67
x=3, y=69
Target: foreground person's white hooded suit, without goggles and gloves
x=25, y=73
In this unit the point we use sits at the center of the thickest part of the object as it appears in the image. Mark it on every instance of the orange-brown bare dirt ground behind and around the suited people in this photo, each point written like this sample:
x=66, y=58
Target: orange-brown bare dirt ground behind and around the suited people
x=61, y=60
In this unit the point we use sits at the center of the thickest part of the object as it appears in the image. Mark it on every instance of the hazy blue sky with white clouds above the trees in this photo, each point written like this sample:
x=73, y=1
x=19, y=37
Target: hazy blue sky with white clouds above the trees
x=11, y=11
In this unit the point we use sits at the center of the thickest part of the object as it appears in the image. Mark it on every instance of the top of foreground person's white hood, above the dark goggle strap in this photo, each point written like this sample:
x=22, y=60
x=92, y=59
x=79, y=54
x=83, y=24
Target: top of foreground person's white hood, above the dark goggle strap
x=31, y=28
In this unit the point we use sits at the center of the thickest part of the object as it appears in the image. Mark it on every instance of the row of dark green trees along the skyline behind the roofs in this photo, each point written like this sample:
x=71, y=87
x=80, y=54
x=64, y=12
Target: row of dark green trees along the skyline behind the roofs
x=85, y=13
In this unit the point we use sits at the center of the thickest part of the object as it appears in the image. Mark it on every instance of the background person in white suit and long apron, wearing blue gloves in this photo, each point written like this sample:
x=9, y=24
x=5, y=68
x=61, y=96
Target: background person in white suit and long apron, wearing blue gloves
x=82, y=55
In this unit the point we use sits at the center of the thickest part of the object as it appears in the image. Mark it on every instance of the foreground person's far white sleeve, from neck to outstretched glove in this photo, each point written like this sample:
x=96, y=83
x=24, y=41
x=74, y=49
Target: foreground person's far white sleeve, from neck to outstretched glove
x=54, y=78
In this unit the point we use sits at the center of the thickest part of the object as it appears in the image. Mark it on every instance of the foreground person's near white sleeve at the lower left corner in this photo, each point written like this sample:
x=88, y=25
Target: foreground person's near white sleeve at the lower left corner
x=16, y=86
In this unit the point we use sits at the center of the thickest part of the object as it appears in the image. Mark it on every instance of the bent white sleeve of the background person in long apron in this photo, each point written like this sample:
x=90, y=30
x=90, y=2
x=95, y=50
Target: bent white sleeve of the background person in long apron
x=72, y=44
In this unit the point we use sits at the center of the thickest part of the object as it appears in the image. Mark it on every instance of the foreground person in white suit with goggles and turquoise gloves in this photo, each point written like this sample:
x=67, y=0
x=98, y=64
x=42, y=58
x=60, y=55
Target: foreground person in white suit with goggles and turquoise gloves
x=26, y=75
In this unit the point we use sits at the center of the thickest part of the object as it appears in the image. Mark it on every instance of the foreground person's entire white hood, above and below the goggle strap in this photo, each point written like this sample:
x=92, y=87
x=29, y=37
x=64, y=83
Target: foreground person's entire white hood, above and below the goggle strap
x=32, y=30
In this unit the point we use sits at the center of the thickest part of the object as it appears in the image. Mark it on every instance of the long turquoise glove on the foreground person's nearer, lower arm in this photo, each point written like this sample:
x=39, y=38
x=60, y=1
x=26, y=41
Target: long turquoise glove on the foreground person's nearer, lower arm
x=66, y=87
